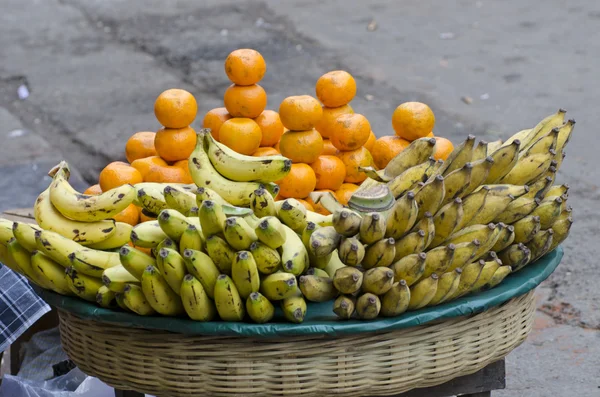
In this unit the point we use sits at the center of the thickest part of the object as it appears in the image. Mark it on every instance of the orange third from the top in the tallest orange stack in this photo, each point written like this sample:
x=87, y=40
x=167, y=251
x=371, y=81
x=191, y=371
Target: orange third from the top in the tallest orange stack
x=241, y=134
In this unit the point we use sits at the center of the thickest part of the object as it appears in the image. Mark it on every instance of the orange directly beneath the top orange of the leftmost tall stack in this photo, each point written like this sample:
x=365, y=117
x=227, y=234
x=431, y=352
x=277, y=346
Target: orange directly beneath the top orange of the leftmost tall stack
x=175, y=144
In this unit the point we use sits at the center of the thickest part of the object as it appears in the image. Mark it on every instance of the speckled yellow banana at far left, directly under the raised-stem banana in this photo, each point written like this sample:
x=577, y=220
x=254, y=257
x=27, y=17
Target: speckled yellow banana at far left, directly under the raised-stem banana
x=49, y=218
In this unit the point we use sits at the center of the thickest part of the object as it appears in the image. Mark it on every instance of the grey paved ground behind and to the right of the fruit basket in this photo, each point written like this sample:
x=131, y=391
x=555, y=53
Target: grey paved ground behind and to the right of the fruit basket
x=94, y=68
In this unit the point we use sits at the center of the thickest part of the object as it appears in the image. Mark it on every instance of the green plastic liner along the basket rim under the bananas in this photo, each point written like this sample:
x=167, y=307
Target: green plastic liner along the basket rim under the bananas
x=320, y=318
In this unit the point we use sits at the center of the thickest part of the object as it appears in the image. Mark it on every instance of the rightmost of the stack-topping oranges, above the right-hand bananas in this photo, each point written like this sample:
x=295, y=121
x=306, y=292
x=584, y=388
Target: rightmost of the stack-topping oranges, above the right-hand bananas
x=413, y=120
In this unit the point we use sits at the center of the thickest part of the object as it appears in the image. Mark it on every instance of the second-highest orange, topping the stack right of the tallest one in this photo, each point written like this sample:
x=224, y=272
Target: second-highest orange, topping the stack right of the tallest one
x=336, y=88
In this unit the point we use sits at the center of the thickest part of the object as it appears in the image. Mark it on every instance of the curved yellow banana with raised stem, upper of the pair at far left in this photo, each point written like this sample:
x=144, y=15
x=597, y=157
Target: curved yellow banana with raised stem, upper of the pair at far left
x=84, y=208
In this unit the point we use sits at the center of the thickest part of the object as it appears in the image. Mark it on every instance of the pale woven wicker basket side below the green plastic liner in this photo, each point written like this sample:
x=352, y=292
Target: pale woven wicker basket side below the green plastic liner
x=173, y=365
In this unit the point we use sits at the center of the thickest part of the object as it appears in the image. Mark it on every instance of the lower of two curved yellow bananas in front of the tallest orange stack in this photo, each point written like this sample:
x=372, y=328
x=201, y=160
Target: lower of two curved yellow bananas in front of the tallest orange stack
x=204, y=174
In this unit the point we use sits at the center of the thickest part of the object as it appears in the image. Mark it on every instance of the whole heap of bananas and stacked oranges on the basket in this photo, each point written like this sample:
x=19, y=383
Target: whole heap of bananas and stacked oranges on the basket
x=238, y=234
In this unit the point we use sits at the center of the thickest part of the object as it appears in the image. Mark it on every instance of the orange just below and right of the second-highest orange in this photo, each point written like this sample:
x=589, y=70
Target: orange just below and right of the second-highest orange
x=350, y=131
